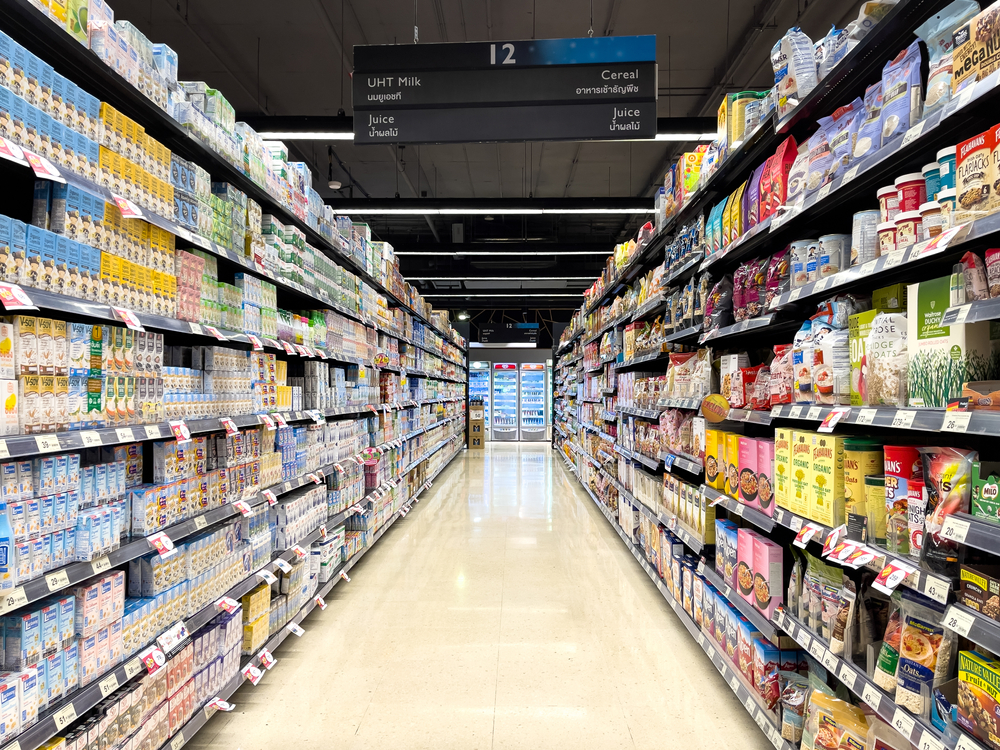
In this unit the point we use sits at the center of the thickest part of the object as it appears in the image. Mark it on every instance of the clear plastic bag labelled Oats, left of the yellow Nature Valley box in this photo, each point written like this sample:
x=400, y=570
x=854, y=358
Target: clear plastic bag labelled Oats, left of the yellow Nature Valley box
x=925, y=653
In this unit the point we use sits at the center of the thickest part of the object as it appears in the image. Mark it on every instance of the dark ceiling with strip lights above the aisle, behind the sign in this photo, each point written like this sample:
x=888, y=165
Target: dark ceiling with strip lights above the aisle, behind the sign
x=290, y=60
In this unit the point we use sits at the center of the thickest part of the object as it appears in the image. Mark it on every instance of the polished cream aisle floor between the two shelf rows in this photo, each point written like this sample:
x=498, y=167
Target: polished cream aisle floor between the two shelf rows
x=503, y=612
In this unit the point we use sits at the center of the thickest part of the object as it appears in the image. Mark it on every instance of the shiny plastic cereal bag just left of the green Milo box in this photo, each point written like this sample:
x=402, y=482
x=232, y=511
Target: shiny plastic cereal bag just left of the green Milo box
x=948, y=483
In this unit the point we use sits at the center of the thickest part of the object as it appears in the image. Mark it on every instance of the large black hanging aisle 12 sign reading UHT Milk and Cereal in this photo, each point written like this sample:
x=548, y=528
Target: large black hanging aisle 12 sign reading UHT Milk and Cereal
x=601, y=88
